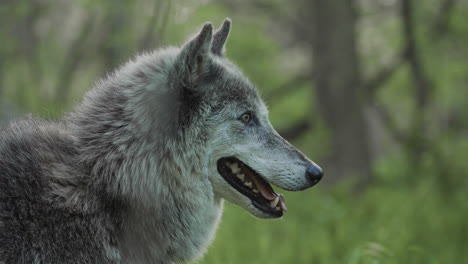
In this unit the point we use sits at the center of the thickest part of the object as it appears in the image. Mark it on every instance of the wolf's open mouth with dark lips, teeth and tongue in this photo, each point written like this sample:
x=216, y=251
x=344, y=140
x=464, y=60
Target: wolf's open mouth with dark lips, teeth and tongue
x=251, y=184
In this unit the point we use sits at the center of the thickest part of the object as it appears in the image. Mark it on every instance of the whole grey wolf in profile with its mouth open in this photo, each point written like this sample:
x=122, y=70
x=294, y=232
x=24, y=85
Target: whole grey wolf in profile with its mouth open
x=139, y=171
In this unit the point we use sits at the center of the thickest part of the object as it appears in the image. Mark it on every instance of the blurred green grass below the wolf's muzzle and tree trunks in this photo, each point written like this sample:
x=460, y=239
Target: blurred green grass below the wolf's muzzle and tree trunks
x=385, y=224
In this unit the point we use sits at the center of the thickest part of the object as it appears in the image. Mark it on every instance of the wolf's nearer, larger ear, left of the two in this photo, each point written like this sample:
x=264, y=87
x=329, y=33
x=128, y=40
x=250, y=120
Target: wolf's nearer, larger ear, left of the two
x=194, y=55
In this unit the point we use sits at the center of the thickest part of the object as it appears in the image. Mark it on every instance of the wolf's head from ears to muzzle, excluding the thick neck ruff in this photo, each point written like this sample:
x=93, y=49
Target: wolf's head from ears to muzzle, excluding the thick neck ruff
x=244, y=153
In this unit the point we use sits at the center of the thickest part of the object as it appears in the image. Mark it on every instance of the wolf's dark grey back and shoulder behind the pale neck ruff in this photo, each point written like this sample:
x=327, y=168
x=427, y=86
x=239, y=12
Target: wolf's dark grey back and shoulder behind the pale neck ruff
x=38, y=179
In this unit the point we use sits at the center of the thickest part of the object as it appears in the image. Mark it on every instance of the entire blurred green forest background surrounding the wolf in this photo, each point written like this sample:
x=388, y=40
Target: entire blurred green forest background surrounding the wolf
x=375, y=91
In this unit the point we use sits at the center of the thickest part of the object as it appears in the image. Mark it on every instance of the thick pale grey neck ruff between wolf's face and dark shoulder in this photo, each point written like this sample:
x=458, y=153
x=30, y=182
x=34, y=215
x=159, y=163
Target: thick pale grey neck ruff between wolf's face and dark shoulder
x=136, y=148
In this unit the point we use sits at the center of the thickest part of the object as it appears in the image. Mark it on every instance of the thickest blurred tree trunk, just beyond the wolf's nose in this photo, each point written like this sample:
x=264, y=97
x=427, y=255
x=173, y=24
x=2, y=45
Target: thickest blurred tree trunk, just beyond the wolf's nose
x=339, y=92
